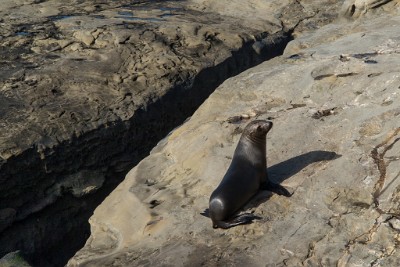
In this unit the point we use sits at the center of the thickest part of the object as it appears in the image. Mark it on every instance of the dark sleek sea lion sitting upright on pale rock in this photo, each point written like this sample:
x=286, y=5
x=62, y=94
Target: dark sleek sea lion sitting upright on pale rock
x=244, y=178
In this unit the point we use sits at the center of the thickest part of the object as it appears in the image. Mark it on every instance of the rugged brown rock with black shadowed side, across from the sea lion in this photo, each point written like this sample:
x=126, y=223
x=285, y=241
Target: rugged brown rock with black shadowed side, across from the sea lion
x=87, y=88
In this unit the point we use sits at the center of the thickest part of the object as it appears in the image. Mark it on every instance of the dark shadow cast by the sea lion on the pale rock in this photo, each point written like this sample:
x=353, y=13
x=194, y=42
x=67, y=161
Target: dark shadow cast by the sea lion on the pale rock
x=282, y=171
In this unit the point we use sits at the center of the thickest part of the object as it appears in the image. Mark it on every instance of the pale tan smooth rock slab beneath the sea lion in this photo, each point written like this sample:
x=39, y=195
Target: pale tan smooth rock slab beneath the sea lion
x=334, y=100
